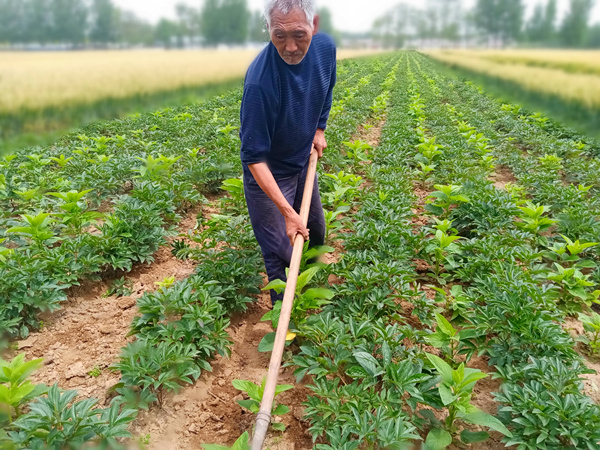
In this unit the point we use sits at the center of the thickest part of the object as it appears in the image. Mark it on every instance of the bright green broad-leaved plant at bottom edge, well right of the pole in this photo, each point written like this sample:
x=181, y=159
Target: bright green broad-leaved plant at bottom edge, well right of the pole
x=456, y=389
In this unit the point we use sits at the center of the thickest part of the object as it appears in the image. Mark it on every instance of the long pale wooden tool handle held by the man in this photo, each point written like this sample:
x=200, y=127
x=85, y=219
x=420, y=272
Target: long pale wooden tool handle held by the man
x=263, y=418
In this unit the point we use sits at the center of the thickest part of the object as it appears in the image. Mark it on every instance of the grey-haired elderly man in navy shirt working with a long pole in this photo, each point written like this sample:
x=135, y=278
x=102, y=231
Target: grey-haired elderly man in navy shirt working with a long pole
x=285, y=107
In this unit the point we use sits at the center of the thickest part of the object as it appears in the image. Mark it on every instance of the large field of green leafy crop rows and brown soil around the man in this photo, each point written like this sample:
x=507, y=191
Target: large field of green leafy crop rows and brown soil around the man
x=454, y=303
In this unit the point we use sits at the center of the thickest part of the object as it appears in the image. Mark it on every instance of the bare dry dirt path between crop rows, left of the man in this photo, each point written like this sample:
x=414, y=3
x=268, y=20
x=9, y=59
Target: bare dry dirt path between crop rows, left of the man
x=88, y=332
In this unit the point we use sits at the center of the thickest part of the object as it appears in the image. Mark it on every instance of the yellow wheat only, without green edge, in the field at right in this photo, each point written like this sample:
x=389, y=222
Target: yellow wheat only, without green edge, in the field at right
x=582, y=87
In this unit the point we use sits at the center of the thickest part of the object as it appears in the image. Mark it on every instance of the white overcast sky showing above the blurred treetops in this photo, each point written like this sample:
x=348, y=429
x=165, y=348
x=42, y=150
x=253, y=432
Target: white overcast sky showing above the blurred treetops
x=348, y=15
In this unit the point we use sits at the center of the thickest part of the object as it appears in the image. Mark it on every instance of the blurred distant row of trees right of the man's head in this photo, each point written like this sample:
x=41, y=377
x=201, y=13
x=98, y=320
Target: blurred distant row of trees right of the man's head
x=492, y=22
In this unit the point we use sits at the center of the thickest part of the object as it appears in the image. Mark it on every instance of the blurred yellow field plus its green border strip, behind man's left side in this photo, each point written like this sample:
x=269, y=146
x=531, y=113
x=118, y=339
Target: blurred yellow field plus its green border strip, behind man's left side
x=50, y=92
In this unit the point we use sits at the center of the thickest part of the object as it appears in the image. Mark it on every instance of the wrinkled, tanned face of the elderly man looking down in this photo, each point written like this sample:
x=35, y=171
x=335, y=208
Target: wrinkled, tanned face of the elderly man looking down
x=292, y=34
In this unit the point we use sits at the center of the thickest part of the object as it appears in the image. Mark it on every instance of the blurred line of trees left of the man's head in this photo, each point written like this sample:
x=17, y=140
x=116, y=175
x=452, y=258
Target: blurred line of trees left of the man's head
x=80, y=23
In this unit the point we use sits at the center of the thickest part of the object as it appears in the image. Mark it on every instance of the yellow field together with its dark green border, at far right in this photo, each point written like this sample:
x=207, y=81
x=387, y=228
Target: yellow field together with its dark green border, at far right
x=563, y=84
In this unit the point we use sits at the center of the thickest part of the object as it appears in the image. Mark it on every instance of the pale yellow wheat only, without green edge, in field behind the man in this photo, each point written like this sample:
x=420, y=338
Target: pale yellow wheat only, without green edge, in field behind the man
x=38, y=80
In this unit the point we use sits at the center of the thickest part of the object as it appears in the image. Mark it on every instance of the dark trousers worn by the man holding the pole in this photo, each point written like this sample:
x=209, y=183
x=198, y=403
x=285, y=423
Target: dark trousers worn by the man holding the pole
x=269, y=225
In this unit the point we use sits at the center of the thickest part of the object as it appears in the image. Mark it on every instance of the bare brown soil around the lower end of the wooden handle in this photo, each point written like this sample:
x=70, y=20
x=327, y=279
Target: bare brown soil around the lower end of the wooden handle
x=207, y=412
